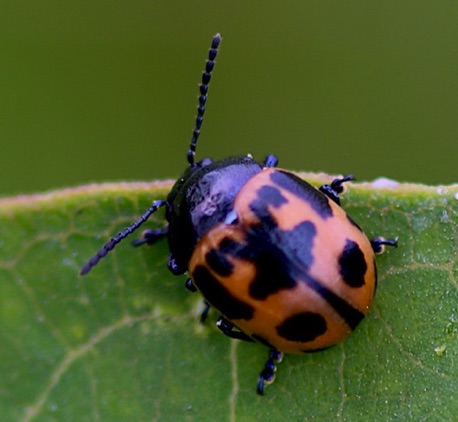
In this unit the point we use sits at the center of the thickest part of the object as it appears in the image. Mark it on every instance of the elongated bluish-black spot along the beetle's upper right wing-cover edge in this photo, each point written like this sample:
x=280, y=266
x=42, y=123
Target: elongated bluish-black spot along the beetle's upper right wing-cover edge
x=303, y=190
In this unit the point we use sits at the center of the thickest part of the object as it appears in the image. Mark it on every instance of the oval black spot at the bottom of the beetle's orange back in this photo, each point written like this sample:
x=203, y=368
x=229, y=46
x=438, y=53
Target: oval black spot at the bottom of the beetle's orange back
x=302, y=327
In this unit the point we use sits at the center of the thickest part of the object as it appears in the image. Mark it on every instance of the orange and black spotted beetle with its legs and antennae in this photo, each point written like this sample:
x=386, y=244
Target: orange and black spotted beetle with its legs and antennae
x=278, y=258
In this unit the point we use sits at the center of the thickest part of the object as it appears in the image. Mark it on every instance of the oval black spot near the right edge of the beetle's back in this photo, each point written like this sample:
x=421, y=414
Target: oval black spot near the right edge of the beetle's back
x=352, y=265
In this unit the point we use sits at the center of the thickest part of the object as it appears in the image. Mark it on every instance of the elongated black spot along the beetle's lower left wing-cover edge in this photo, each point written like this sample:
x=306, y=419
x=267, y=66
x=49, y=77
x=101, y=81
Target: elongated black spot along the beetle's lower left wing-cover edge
x=216, y=294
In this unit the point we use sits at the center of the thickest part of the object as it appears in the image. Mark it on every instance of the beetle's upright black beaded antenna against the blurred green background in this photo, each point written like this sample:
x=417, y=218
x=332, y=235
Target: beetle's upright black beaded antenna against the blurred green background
x=206, y=77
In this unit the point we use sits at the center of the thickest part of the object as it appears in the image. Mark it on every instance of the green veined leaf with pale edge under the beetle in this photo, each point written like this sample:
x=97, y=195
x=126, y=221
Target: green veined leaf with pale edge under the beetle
x=125, y=342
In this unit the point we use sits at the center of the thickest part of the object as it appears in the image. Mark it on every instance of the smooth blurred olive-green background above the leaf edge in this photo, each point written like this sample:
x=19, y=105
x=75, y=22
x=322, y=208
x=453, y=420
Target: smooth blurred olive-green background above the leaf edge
x=97, y=90
